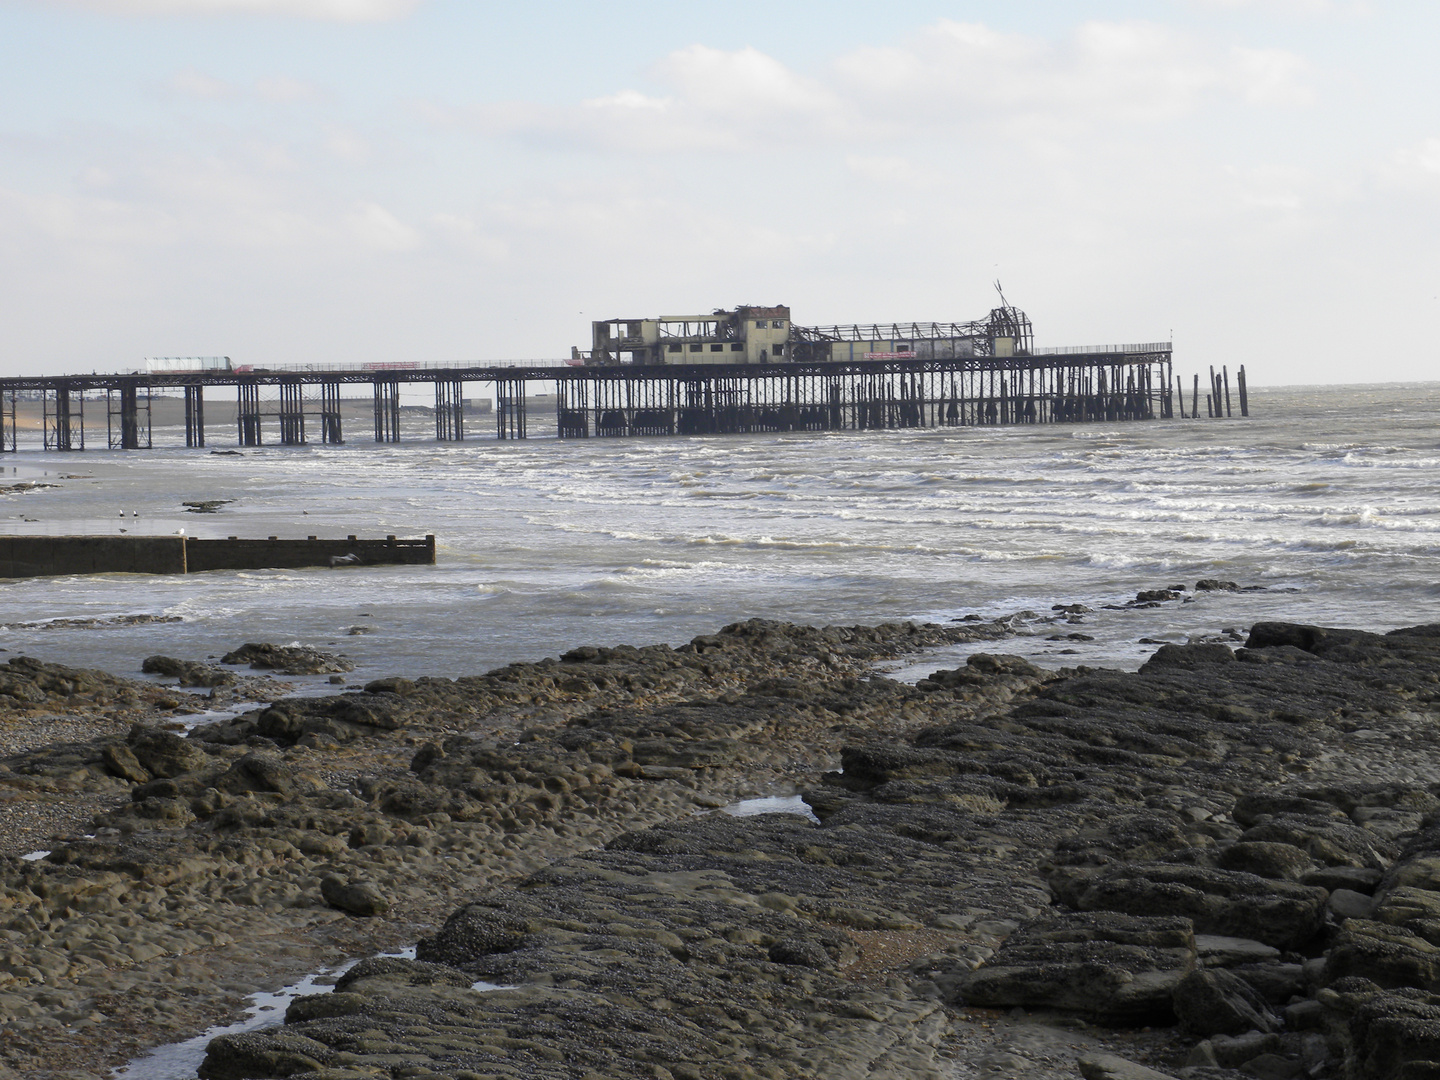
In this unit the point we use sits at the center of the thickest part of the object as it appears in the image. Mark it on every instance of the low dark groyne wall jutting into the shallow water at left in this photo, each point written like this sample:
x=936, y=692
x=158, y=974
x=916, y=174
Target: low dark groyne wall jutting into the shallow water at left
x=44, y=557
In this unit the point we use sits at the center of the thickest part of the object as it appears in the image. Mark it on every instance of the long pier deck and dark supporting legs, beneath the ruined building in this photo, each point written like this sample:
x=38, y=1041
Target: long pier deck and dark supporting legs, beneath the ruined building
x=299, y=407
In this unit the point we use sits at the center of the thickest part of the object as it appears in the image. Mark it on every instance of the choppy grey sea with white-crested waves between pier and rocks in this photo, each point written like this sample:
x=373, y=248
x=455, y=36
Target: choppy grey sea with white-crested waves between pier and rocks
x=1328, y=498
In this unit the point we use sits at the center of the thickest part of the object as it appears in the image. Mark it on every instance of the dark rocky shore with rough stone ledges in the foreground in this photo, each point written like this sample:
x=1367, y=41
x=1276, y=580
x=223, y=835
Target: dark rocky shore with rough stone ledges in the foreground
x=1226, y=865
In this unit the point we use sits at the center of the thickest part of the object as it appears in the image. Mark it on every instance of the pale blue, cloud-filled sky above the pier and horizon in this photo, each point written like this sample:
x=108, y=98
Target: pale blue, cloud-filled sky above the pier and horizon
x=320, y=182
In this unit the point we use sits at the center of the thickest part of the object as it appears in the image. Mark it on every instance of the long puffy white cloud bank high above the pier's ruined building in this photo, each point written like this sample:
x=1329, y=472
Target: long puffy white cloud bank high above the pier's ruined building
x=950, y=80
